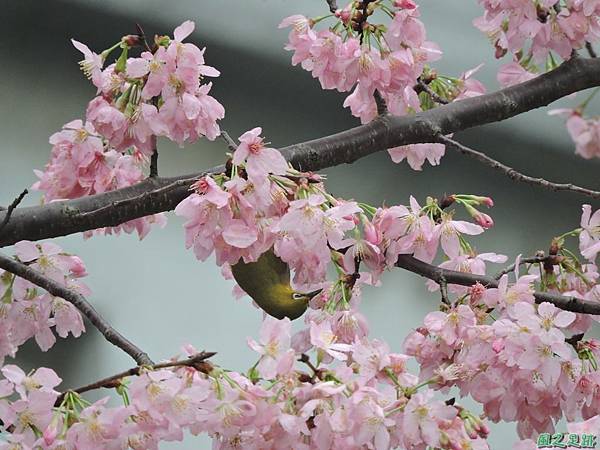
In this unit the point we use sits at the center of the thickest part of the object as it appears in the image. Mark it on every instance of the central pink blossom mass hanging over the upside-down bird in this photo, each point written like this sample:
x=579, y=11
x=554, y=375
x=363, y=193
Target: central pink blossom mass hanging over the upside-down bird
x=262, y=203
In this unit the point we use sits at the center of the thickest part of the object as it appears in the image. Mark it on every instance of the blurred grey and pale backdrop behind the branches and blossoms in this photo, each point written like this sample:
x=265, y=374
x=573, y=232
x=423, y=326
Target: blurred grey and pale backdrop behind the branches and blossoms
x=155, y=292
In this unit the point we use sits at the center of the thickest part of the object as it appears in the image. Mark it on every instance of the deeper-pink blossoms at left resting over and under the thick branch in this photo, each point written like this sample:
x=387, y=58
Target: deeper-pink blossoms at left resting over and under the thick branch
x=81, y=164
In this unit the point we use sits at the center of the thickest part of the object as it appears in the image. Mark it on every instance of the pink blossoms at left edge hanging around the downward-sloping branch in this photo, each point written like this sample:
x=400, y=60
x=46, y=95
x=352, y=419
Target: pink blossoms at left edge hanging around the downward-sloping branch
x=28, y=312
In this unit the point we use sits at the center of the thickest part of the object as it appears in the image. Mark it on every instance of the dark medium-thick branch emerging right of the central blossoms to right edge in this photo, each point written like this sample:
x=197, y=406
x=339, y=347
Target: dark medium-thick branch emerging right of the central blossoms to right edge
x=439, y=275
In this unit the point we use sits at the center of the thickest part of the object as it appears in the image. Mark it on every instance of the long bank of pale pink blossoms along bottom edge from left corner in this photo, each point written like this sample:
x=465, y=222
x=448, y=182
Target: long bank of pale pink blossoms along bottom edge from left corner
x=364, y=397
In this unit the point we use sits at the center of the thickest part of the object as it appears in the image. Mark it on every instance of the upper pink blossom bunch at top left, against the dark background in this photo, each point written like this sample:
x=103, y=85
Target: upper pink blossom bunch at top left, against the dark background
x=158, y=94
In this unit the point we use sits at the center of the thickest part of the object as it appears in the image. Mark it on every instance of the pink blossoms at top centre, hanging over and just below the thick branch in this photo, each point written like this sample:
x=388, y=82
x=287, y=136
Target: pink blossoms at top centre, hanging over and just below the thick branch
x=390, y=59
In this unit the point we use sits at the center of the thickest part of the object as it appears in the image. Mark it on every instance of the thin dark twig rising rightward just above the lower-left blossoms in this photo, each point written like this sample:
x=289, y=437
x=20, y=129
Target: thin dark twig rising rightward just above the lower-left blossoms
x=197, y=361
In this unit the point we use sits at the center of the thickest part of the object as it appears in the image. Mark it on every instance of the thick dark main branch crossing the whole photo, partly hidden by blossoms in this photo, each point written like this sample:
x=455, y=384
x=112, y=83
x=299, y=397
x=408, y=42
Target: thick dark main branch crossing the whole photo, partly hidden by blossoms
x=67, y=217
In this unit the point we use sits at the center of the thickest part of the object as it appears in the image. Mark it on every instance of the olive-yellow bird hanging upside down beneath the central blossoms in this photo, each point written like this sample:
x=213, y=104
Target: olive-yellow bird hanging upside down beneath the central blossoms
x=267, y=281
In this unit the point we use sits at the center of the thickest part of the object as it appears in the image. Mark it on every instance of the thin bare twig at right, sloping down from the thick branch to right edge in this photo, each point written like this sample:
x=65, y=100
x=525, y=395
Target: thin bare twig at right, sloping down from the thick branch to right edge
x=512, y=173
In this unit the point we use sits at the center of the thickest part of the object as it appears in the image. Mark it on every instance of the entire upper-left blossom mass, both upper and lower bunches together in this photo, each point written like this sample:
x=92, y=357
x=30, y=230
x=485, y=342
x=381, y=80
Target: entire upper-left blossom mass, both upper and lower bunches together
x=161, y=93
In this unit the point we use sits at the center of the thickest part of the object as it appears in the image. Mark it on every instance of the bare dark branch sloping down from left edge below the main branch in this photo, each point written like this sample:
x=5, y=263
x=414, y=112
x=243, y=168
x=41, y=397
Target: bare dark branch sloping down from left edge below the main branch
x=114, y=337
